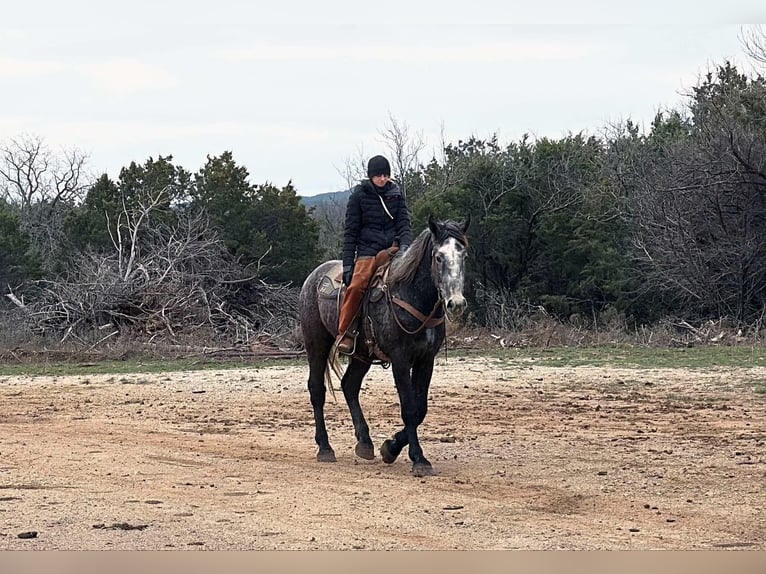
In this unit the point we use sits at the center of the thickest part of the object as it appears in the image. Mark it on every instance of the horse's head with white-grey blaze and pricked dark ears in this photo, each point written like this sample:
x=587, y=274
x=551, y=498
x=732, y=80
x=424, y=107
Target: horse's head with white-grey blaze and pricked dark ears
x=448, y=262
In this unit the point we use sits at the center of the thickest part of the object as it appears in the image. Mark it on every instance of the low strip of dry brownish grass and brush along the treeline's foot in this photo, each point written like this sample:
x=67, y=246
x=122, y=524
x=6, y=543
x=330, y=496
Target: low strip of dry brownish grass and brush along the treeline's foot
x=18, y=341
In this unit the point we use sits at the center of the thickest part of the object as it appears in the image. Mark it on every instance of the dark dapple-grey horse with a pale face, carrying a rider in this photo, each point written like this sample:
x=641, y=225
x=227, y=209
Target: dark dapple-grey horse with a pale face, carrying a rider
x=404, y=328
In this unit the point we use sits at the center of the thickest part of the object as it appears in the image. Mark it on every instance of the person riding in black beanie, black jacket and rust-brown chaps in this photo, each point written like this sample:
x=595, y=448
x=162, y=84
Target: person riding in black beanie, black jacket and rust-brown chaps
x=377, y=224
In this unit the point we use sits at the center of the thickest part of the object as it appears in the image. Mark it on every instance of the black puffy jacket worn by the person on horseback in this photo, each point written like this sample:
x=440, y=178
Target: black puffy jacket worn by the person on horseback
x=371, y=227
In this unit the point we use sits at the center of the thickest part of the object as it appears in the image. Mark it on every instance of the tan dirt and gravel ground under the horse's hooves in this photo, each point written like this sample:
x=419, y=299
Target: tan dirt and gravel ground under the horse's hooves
x=527, y=458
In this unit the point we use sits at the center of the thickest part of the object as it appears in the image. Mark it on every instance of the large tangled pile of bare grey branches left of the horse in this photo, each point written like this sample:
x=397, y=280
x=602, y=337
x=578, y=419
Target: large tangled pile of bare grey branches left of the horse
x=164, y=280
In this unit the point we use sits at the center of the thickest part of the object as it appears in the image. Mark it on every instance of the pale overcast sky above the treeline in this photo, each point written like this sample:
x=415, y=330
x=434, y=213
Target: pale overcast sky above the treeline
x=299, y=90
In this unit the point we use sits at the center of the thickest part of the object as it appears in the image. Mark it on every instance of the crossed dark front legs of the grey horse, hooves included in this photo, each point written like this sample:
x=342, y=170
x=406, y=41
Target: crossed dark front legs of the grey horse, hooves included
x=413, y=398
